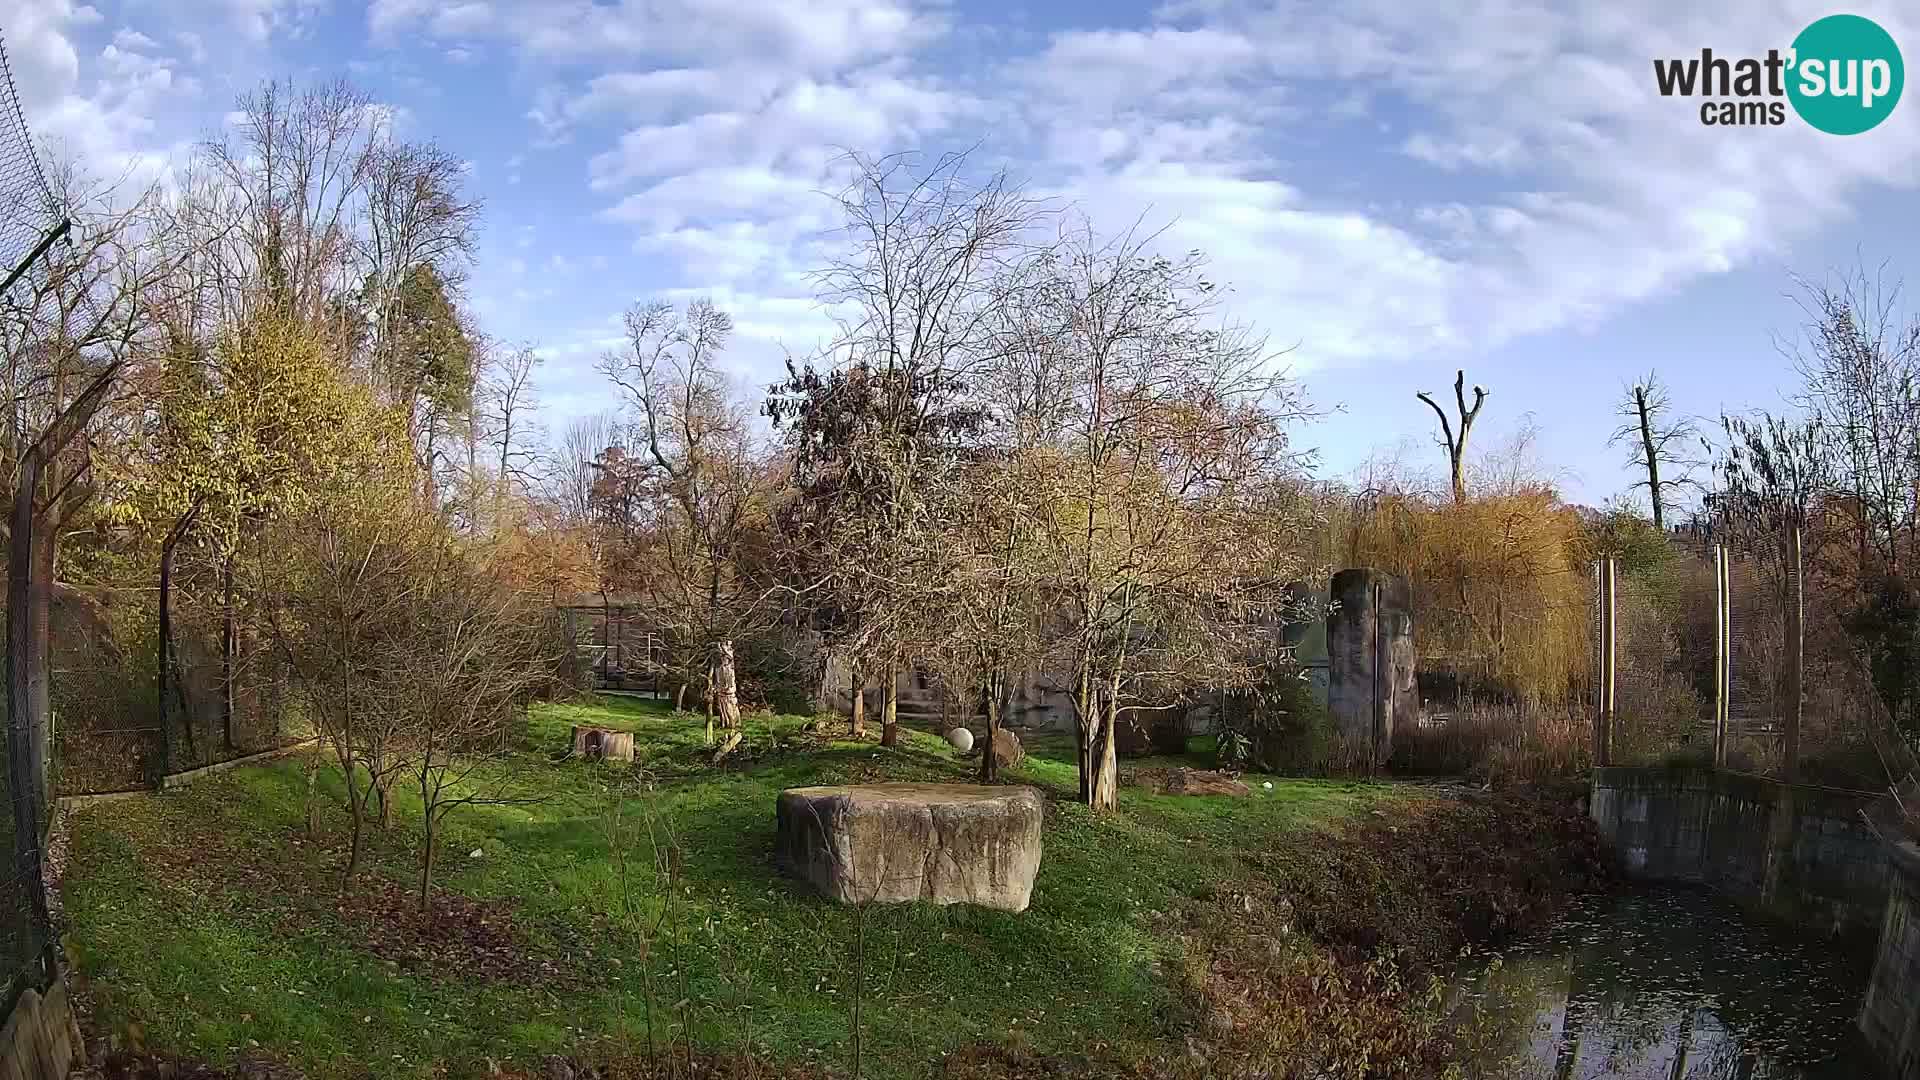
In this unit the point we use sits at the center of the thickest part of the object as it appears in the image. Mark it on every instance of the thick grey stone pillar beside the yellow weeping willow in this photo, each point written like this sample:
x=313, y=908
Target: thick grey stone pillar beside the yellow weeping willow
x=1370, y=660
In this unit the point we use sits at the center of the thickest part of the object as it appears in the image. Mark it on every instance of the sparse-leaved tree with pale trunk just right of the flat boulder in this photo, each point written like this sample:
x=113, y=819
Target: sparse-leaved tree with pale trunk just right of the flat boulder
x=1163, y=552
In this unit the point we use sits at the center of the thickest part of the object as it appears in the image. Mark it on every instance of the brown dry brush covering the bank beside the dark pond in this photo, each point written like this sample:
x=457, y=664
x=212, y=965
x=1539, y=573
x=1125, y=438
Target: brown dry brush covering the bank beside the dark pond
x=1333, y=962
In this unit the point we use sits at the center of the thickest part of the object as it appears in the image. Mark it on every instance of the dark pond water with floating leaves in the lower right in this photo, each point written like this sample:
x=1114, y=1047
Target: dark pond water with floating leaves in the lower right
x=1664, y=987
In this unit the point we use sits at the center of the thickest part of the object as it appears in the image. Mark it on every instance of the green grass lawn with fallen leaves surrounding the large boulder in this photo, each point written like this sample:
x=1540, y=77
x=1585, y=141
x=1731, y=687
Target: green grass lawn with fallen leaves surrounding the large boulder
x=204, y=923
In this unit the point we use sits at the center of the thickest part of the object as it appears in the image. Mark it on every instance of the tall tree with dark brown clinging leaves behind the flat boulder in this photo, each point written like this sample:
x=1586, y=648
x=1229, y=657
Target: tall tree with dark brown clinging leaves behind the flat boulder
x=882, y=408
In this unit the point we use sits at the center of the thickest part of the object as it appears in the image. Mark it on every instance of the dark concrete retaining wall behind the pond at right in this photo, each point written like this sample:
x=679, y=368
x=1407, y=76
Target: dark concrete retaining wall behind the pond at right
x=1796, y=852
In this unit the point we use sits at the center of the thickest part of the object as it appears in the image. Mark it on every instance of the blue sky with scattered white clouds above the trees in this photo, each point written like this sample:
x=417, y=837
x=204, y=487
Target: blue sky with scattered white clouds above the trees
x=1395, y=187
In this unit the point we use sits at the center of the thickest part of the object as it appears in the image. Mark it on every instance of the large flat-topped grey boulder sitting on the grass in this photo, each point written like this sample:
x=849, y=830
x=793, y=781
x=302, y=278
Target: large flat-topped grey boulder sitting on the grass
x=901, y=843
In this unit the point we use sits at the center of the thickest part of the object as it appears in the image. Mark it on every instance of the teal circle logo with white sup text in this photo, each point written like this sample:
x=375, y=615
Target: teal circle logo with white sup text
x=1846, y=74
